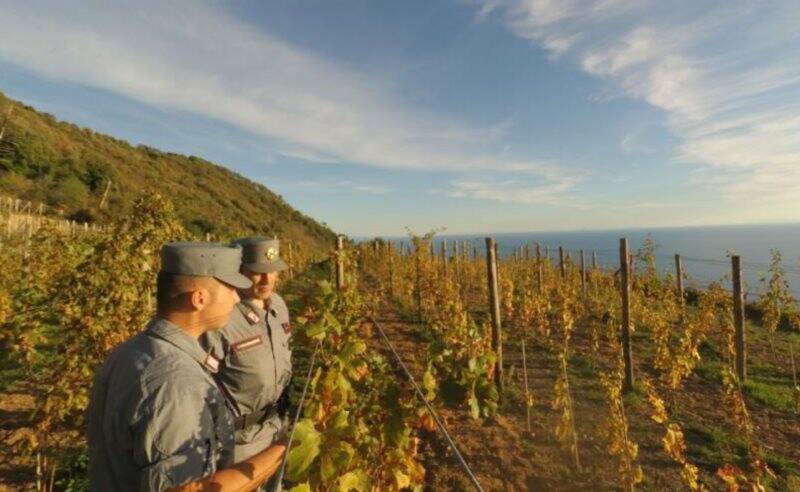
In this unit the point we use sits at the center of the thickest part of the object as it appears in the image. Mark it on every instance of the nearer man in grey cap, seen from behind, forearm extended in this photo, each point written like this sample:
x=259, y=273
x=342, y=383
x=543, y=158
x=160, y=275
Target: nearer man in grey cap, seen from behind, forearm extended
x=157, y=419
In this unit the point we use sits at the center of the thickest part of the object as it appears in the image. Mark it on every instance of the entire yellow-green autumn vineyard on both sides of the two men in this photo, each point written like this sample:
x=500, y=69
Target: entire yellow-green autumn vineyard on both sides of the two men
x=546, y=375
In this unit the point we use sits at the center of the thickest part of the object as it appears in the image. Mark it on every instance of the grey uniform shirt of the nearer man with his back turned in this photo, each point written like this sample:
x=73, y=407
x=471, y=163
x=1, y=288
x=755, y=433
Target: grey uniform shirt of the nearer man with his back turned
x=157, y=418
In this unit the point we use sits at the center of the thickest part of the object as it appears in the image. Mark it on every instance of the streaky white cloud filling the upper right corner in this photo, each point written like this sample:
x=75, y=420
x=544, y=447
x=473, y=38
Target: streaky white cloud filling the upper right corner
x=726, y=73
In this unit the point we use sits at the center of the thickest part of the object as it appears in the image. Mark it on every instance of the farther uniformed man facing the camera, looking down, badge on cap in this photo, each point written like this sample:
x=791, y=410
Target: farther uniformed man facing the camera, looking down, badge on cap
x=254, y=348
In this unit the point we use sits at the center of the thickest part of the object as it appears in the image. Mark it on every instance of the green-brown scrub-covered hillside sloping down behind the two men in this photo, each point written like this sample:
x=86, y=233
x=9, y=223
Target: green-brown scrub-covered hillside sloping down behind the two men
x=69, y=168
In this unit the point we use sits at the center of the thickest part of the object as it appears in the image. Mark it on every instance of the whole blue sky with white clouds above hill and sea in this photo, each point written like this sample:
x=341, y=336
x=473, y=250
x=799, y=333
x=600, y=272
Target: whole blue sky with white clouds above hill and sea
x=465, y=115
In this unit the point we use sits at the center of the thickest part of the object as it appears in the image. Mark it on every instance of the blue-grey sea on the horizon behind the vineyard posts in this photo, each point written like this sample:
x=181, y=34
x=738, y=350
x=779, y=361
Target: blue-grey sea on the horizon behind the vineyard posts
x=705, y=250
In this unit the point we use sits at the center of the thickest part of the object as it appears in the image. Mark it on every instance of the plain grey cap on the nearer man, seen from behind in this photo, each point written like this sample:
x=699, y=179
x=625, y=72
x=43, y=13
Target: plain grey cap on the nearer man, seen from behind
x=205, y=260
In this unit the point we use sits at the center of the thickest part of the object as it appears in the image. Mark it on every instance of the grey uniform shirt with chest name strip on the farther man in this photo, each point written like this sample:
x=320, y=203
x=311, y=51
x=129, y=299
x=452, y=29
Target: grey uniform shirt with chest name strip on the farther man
x=256, y=367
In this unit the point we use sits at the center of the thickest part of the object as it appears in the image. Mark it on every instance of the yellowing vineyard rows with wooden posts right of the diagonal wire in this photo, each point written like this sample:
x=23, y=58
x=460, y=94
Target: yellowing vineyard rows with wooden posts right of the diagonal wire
x=548, y=395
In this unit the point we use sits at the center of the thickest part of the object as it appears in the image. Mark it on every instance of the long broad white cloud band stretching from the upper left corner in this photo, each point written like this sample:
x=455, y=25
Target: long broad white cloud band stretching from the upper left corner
x=195, y=56
